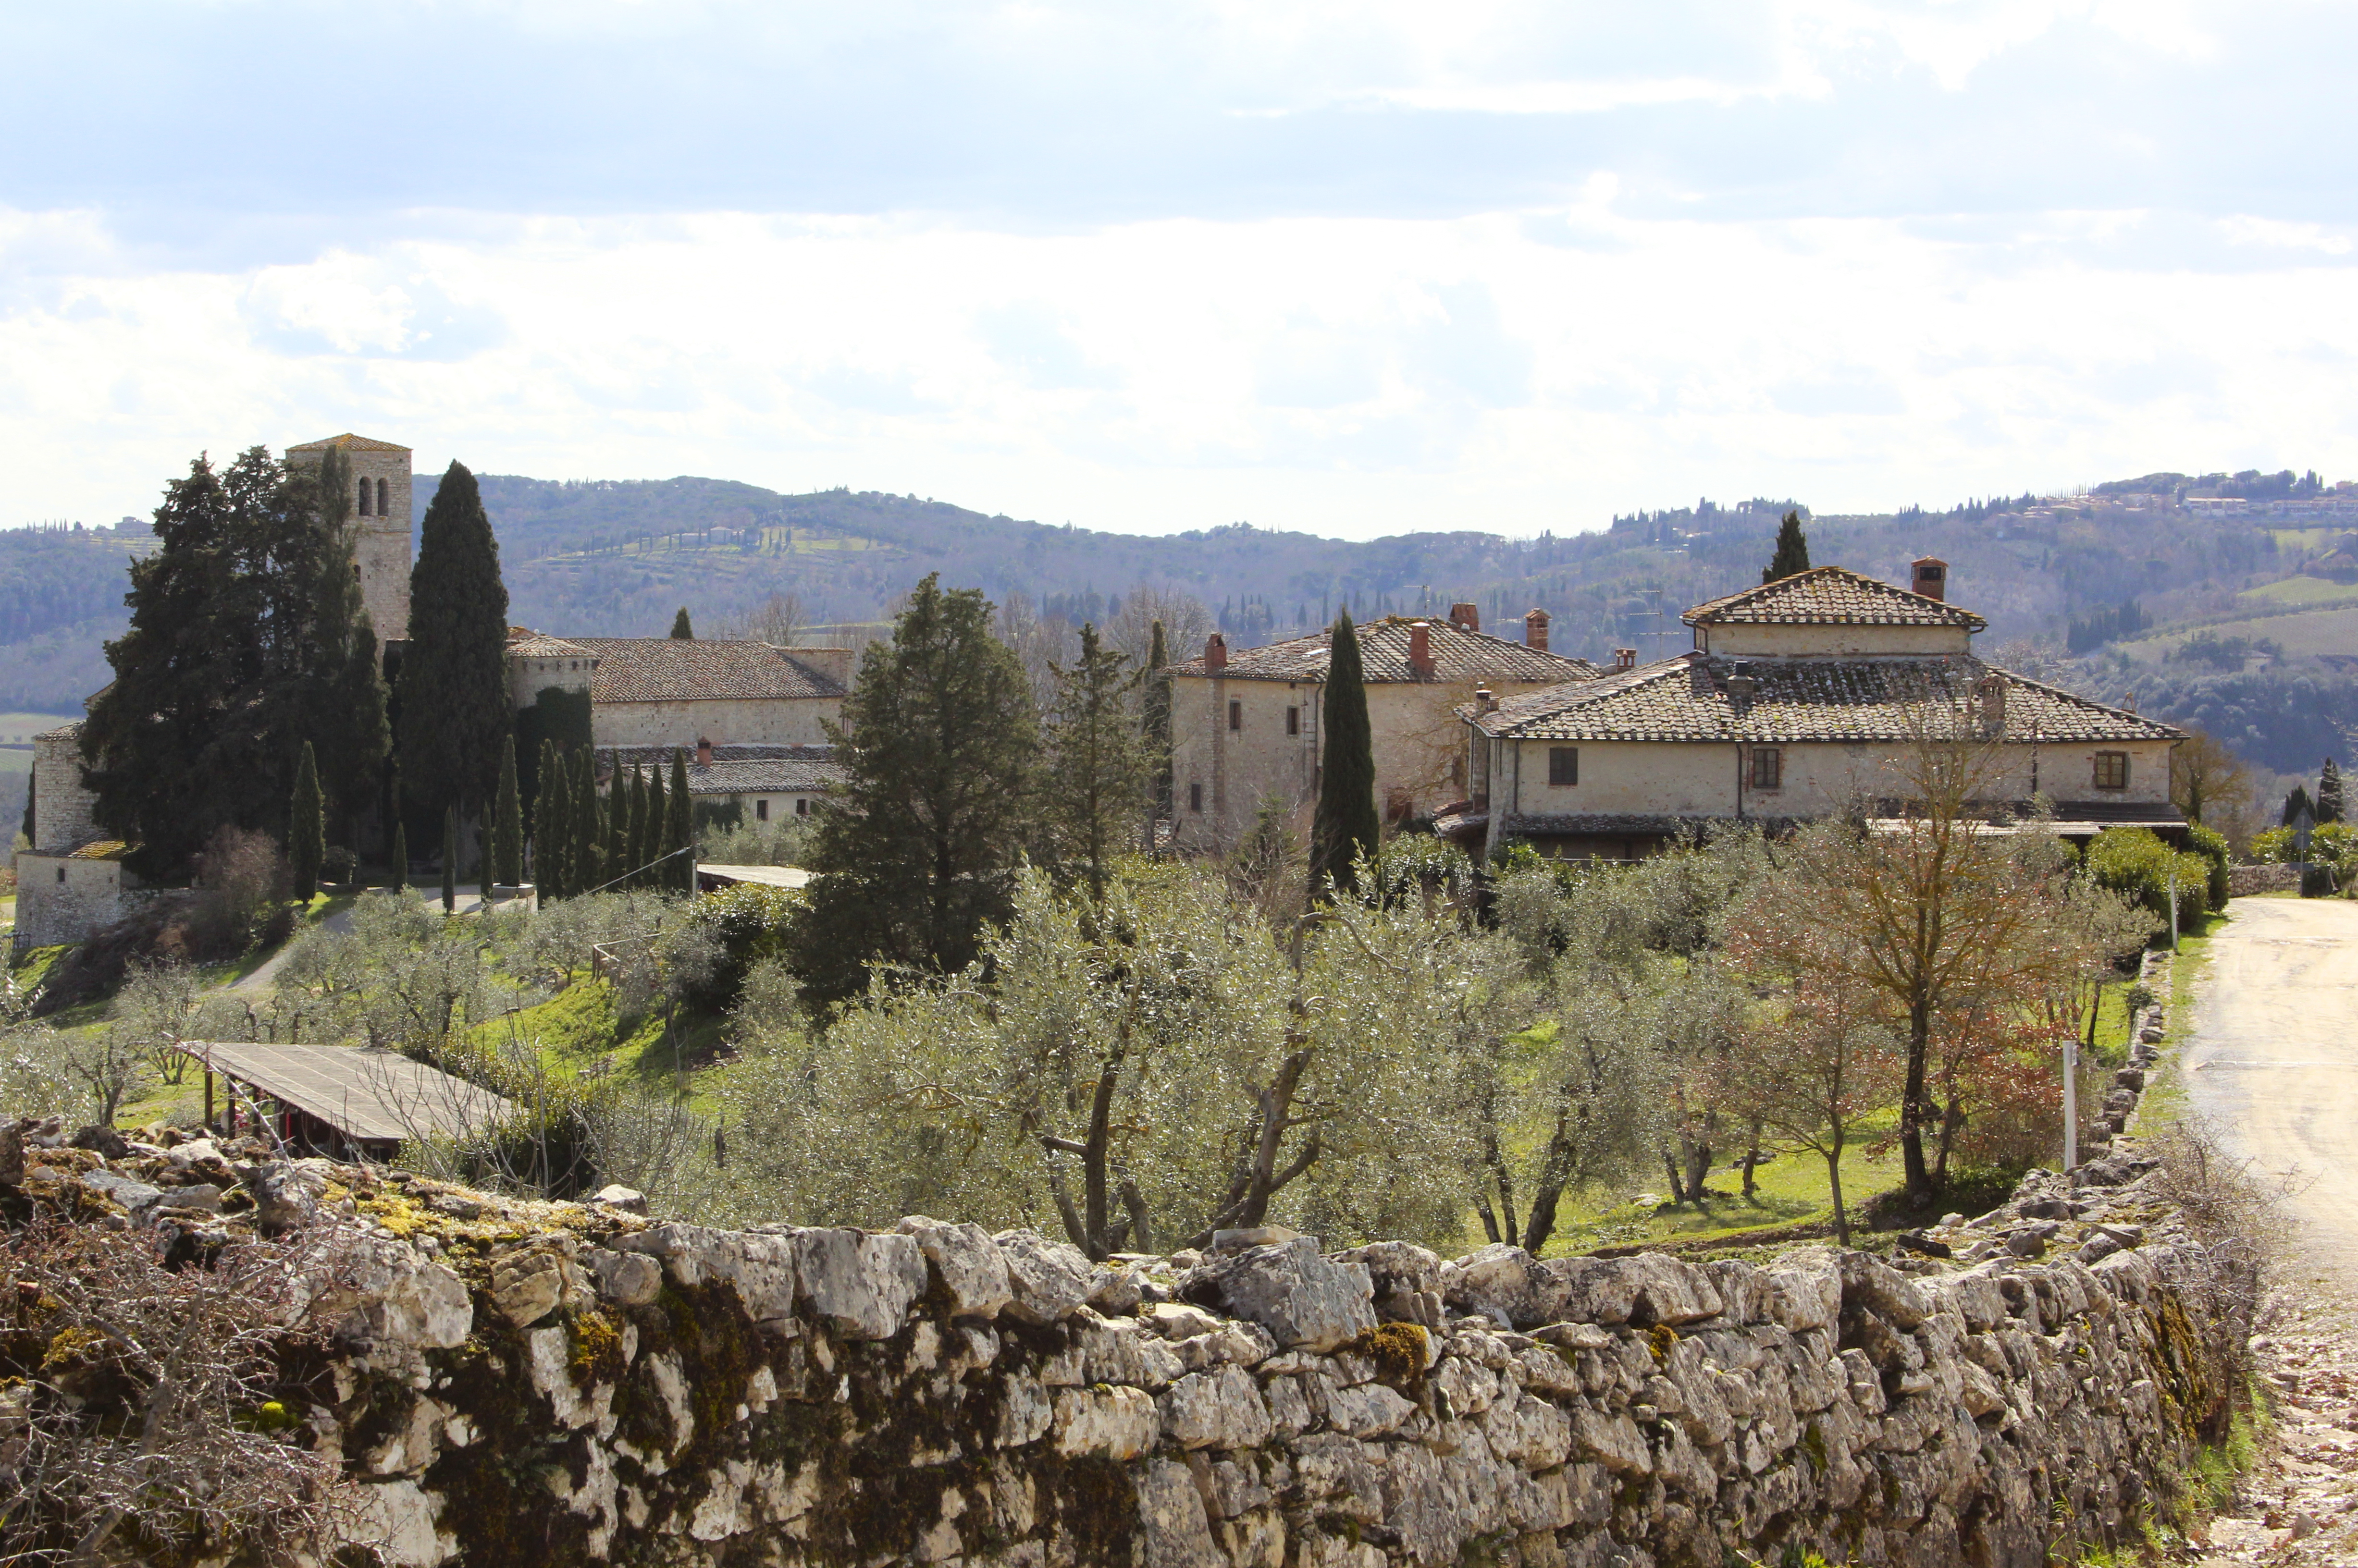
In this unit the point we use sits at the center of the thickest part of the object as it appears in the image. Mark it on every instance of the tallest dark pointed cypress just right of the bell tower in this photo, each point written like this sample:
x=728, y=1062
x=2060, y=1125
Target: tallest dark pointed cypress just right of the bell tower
x=456, y=709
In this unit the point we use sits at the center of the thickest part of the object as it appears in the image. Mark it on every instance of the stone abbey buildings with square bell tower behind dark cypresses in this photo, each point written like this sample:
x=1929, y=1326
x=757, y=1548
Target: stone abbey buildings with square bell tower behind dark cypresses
x=749, y=711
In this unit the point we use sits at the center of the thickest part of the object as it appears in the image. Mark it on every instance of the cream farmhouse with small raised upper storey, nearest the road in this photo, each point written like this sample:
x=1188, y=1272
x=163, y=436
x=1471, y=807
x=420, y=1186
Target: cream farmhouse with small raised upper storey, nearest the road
x=1793, y=704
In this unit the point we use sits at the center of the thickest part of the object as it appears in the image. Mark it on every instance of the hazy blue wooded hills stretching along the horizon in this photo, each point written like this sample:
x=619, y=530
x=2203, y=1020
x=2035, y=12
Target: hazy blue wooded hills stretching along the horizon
x=2126, y=577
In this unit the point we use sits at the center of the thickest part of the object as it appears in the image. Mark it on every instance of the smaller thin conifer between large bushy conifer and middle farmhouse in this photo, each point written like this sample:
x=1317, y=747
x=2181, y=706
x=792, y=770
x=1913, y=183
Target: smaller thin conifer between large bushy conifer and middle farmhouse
x=1098, y=765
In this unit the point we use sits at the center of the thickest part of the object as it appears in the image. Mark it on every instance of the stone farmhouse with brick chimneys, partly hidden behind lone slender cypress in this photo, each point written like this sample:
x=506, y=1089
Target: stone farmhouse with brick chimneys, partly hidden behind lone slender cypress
x=1249, y=727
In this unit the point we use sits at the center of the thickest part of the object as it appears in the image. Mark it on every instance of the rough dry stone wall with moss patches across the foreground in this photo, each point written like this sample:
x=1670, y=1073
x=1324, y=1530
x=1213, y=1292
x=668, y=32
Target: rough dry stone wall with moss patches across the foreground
x=529, y=1383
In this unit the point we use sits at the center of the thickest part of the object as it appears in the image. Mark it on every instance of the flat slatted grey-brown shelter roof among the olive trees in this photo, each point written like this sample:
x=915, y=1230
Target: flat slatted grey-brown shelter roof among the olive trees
x=364, y=1093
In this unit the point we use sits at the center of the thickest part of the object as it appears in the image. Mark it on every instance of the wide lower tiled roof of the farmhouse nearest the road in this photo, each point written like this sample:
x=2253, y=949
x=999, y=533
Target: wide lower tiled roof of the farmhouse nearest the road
x=1798, y=699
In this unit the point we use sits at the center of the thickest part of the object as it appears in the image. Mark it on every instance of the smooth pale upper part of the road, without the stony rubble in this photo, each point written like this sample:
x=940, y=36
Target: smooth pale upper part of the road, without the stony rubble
x=2272, y=1060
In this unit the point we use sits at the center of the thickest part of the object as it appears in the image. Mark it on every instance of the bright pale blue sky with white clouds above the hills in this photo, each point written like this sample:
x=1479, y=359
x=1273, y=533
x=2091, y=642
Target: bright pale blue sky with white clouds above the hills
x=1350, y=270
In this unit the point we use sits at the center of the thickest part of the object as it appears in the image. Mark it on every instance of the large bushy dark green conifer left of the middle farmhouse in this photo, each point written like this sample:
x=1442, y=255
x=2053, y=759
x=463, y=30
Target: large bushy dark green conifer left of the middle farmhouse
x=930, y=822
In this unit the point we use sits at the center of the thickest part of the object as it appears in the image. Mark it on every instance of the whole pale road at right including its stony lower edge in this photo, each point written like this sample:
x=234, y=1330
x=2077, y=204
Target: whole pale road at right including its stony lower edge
x=2272, y=1062
